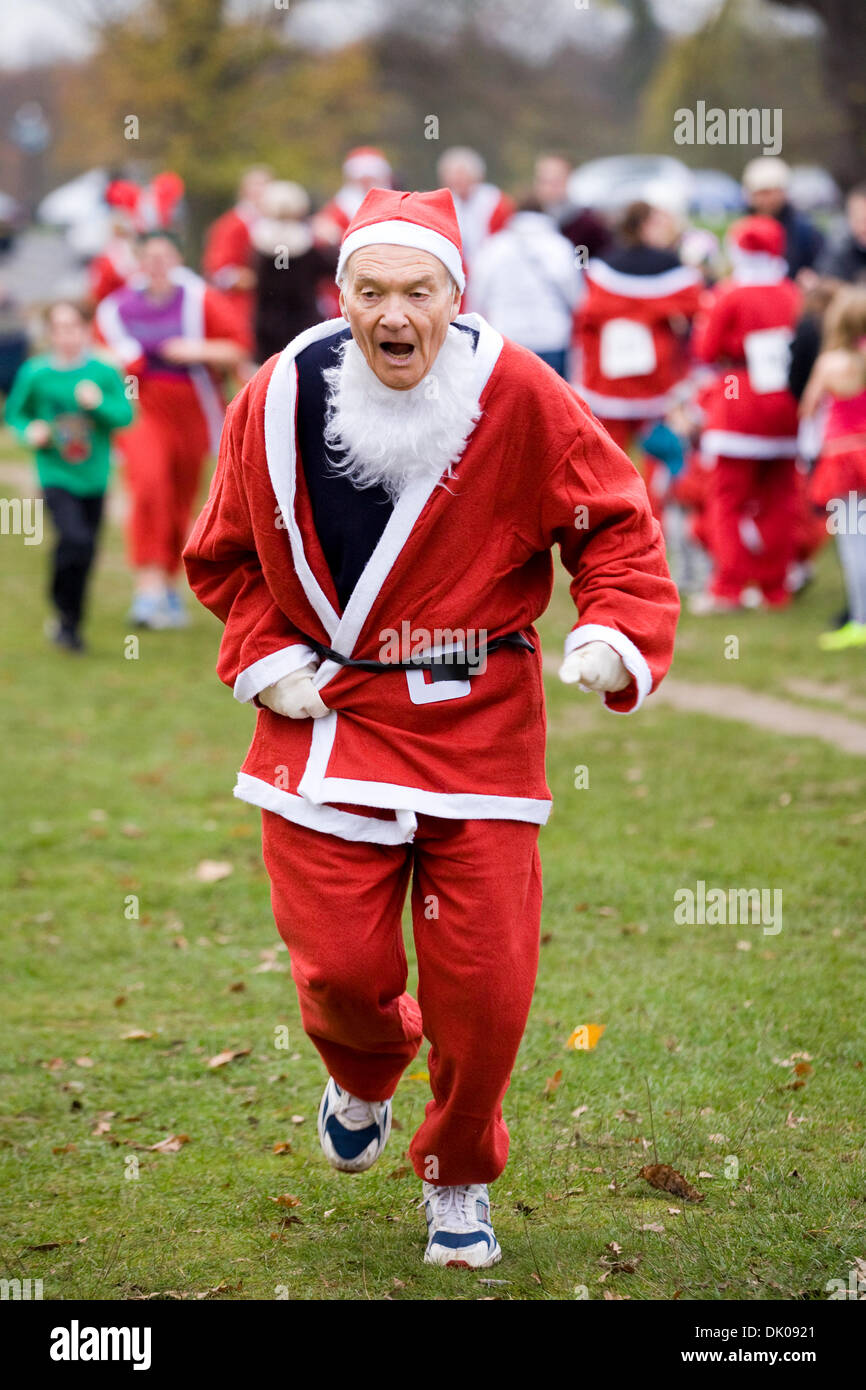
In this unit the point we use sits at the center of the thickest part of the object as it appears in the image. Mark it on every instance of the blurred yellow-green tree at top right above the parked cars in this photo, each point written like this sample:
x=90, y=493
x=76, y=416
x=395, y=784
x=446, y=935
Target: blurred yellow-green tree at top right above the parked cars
x=740, y=60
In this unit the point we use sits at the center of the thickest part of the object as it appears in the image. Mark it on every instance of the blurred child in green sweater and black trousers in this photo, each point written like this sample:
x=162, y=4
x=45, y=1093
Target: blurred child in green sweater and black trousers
x=66, y=407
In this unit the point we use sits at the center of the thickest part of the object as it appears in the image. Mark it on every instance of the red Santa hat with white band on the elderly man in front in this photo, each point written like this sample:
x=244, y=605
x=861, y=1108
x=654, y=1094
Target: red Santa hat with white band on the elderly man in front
x=426, y=222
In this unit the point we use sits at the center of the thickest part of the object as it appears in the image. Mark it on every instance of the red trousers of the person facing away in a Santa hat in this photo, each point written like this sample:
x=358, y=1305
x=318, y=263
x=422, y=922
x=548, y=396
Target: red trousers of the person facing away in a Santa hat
x=753, y=515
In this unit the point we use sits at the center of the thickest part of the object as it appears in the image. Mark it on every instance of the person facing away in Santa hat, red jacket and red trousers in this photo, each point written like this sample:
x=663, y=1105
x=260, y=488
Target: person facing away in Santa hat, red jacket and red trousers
x=751, y=420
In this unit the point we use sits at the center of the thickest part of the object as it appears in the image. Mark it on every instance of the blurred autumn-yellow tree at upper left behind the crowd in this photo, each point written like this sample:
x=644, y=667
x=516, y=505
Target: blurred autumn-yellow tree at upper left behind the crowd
x=213, y=94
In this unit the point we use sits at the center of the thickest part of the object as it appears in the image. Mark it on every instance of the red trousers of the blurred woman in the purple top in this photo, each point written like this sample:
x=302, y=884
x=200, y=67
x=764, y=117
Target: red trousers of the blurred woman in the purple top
x=165, y=452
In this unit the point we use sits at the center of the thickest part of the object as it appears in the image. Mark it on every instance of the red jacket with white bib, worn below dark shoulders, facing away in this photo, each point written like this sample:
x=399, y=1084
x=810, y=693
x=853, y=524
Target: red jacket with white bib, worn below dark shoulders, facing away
x=633, y=361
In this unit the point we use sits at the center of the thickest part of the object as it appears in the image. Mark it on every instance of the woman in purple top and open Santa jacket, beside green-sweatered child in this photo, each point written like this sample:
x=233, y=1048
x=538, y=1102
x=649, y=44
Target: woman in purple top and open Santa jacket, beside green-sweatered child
x=173, y=336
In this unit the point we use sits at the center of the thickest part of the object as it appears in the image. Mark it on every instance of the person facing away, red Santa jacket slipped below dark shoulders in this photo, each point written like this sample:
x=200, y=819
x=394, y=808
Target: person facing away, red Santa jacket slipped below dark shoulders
x=633, y=325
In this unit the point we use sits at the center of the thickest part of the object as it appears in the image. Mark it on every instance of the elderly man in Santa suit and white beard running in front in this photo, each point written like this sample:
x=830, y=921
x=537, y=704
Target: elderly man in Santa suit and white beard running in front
x=377, y=543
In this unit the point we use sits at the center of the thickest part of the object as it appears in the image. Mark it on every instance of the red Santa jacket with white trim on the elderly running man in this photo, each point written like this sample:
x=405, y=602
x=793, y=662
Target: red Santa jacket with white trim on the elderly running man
x=476, y=555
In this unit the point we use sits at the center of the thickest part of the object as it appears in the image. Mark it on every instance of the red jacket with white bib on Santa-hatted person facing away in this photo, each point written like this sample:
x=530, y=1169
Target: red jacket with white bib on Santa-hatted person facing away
x=746, y=329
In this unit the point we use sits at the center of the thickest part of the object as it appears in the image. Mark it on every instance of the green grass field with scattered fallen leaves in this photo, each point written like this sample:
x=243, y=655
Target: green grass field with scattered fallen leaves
x=730, y=1053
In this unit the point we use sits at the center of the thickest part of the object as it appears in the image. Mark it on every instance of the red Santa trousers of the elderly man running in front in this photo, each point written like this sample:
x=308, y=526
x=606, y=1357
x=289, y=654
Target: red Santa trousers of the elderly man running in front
x=476, y=911
